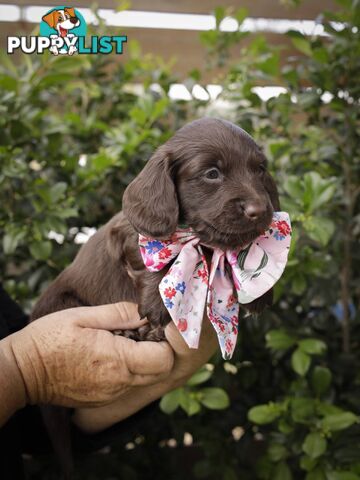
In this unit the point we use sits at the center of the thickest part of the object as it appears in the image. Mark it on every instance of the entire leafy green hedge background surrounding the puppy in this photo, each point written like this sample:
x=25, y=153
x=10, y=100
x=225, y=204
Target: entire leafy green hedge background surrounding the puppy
x=73, y=134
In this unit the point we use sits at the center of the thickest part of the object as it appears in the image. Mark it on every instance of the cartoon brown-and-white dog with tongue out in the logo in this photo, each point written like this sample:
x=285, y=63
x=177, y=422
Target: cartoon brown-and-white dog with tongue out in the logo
x=62, y=20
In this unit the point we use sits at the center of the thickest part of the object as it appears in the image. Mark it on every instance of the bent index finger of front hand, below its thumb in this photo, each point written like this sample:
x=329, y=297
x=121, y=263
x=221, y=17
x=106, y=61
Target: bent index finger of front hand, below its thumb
x=146, y=358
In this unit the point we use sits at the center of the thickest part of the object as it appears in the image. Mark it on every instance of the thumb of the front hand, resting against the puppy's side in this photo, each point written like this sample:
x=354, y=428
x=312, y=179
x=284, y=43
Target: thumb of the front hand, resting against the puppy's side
x=113, y=316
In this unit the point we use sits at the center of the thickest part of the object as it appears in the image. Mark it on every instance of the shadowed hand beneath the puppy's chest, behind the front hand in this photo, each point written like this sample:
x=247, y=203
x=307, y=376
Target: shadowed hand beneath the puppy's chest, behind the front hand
x=187, y=361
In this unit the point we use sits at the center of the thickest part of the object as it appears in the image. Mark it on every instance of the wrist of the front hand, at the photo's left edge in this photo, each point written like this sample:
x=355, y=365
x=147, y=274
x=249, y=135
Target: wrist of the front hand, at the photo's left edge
x=13, y=391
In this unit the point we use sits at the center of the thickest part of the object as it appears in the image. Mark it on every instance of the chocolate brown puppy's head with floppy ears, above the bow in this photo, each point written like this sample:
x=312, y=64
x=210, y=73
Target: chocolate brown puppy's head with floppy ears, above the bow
x=211, y=176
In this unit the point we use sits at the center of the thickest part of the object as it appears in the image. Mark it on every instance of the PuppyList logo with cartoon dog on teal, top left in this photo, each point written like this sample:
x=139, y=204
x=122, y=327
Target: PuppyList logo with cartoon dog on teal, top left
x=62, y=32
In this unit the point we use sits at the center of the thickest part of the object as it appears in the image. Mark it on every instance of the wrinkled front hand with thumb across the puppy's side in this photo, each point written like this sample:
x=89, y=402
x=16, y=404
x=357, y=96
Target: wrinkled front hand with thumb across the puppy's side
x=69, y=358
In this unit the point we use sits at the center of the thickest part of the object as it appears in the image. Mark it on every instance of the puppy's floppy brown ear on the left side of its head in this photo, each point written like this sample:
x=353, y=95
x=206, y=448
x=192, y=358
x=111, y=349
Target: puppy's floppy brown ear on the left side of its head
x=150, y=203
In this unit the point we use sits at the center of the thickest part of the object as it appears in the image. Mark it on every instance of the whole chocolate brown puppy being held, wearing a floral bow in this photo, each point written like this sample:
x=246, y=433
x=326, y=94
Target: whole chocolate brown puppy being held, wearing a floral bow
x=211, y=176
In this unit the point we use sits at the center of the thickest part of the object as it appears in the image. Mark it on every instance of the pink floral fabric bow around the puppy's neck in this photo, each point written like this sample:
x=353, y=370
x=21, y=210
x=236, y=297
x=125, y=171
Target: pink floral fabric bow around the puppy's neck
x=189, y=286
